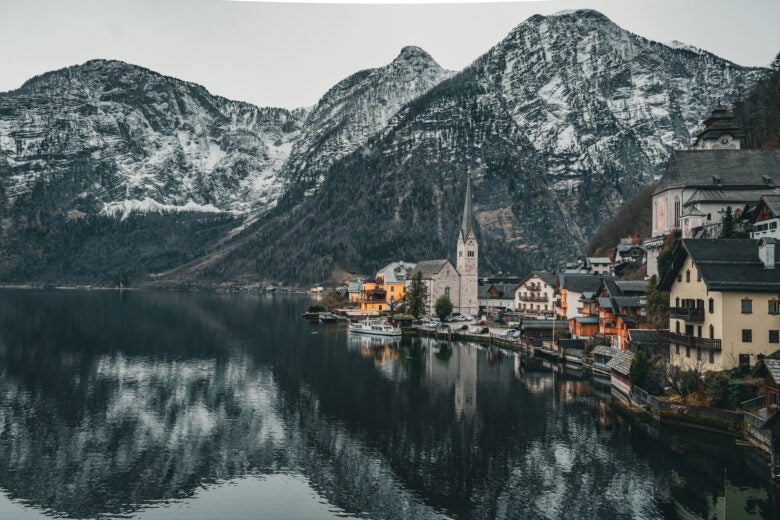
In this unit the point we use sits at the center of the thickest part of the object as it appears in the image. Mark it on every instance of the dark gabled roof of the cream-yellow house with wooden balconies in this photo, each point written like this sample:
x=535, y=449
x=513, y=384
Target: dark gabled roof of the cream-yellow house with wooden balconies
x=725, y=265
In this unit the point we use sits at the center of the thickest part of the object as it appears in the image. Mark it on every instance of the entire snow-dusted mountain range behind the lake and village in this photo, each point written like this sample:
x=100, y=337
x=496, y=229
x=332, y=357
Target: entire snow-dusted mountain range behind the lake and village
x=560, y=122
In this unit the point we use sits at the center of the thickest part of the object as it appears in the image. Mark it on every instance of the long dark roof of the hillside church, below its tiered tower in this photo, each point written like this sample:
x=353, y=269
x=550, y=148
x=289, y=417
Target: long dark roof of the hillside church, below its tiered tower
x=717, y=169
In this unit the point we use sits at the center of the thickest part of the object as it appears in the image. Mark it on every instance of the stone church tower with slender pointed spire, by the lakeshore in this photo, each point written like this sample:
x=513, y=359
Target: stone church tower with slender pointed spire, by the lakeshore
x=468, y=258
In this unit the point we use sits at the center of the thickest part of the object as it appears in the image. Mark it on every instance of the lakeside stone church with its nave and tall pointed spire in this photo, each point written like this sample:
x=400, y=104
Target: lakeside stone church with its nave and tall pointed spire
x=458, y=282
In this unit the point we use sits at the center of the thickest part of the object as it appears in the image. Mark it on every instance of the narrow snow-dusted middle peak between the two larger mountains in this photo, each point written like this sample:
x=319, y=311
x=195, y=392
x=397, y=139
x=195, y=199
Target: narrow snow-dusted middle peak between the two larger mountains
x=354, y=110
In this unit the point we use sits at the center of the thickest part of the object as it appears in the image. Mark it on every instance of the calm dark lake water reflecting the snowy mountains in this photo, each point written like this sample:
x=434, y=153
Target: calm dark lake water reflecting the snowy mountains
x=202, y=406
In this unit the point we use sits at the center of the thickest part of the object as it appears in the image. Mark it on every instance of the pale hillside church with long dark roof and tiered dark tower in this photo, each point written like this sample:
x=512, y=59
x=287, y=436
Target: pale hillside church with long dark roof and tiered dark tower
x=699, y=185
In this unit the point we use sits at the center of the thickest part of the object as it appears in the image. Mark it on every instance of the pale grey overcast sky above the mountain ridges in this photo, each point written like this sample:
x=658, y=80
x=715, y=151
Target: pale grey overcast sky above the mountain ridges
x=276, y=54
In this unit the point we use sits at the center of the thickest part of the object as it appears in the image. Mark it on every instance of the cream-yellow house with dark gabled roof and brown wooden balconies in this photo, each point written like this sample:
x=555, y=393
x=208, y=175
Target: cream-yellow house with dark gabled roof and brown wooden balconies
x=724, y=307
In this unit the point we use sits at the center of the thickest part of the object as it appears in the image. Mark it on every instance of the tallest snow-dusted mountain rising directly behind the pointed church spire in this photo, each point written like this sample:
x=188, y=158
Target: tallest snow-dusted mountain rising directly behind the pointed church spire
x=561, y=121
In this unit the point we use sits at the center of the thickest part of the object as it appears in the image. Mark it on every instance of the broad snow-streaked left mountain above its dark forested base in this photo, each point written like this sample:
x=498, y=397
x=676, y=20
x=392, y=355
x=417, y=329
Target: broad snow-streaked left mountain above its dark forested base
x=109, y=133
